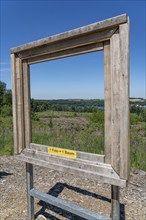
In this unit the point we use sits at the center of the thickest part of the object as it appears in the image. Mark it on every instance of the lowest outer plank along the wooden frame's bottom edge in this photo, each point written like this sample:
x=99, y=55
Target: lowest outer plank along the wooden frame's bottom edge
x=76, y=171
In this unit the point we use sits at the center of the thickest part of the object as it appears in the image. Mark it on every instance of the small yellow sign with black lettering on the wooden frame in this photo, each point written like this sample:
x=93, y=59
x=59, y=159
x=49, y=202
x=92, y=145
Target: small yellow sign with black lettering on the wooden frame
x=62, y=152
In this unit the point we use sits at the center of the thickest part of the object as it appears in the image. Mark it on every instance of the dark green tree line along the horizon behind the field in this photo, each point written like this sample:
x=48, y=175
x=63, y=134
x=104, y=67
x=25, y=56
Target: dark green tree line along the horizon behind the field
x=72, y=105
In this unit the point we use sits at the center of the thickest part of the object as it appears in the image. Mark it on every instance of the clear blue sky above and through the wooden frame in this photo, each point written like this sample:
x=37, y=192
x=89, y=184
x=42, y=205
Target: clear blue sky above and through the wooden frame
x=73, y=77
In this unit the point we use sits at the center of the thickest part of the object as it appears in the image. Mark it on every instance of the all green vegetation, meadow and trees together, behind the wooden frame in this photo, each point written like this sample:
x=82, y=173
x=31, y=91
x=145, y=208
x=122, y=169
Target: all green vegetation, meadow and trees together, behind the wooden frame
x=73, y=124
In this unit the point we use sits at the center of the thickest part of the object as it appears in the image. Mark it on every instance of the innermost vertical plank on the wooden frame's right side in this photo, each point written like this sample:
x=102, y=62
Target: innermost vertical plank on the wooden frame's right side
x=107, y=102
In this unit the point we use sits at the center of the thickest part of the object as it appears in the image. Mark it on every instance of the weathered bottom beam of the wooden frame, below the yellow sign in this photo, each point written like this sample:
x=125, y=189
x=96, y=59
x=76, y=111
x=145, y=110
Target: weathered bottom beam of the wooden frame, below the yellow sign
x=103, y=173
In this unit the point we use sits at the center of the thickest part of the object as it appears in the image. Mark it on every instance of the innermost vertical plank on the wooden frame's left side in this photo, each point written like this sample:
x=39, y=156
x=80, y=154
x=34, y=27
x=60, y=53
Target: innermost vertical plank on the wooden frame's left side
x=26, y=86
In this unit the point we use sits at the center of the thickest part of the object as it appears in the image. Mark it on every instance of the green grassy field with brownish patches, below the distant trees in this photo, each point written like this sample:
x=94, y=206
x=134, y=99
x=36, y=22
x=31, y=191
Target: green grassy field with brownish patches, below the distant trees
x=77, y=131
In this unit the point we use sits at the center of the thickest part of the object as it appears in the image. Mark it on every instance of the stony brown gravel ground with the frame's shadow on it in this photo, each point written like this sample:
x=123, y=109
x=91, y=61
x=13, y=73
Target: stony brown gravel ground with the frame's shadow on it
x=84, y=192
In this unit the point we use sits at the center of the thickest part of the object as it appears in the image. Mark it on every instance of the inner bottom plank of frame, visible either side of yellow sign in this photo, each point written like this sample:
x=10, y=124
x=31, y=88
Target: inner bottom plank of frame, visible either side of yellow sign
x=81, y=155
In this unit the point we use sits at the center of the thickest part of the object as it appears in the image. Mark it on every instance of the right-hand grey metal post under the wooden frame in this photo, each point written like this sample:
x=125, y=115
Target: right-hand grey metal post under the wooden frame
x=115, y=212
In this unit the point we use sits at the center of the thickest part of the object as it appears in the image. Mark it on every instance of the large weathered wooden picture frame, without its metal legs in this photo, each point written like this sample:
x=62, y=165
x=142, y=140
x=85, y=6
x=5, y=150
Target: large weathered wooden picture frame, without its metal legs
x=112, y=36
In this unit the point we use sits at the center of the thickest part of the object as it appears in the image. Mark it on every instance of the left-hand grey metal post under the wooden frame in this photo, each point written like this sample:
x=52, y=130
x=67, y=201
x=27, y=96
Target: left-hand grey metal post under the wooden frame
x=30, y=199
